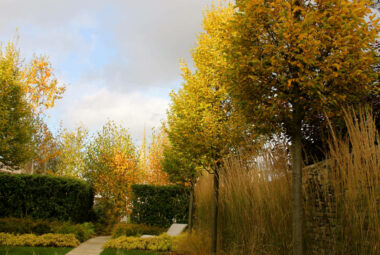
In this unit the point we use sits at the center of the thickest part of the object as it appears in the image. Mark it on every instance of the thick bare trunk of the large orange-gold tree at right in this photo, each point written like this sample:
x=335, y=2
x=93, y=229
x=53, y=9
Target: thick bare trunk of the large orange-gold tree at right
x=297, y=191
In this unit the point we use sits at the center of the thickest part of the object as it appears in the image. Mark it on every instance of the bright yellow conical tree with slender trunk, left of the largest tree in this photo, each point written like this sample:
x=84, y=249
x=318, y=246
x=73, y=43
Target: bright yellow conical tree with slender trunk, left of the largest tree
x=203, y=125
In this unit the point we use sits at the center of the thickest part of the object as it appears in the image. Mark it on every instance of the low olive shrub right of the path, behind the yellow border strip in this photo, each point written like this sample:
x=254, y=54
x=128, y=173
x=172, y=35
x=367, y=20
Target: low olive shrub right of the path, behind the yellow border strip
x=124, y=229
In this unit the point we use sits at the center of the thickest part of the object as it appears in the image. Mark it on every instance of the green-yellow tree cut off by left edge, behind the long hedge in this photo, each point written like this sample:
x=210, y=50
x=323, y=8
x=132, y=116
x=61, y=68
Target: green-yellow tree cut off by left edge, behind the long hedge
x=16, y=118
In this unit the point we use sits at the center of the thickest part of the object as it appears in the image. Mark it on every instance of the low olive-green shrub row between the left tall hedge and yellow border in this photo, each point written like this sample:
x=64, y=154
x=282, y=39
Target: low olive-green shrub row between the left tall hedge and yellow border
x=82, y=231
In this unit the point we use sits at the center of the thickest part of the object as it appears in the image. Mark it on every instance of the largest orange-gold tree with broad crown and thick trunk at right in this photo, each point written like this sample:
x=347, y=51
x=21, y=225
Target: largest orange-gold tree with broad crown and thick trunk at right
x=283, y=62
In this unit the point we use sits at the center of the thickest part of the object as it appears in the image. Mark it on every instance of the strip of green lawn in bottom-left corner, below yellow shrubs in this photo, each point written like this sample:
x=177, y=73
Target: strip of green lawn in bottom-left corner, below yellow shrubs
x=14, y=250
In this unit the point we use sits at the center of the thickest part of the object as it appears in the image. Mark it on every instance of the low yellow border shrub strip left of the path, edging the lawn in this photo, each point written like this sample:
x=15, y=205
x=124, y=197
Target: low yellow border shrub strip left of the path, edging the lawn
x=46, y=240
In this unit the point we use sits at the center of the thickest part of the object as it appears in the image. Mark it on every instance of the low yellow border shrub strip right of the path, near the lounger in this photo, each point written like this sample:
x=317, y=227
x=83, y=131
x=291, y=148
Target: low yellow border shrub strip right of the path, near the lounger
x=159, y=243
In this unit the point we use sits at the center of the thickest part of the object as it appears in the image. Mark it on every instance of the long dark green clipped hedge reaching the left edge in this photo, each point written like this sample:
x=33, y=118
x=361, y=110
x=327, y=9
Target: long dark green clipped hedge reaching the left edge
x=45, y=197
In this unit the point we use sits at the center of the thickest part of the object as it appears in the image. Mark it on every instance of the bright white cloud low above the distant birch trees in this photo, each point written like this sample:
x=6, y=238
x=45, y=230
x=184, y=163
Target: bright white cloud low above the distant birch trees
x=132, y=110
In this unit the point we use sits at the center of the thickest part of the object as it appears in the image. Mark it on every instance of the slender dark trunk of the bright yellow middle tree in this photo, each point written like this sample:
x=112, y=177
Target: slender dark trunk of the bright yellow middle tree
x=215, y=208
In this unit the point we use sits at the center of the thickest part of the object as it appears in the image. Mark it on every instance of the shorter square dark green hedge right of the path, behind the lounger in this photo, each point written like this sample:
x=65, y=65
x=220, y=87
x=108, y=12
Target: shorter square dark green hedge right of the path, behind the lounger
x=158, y=205
